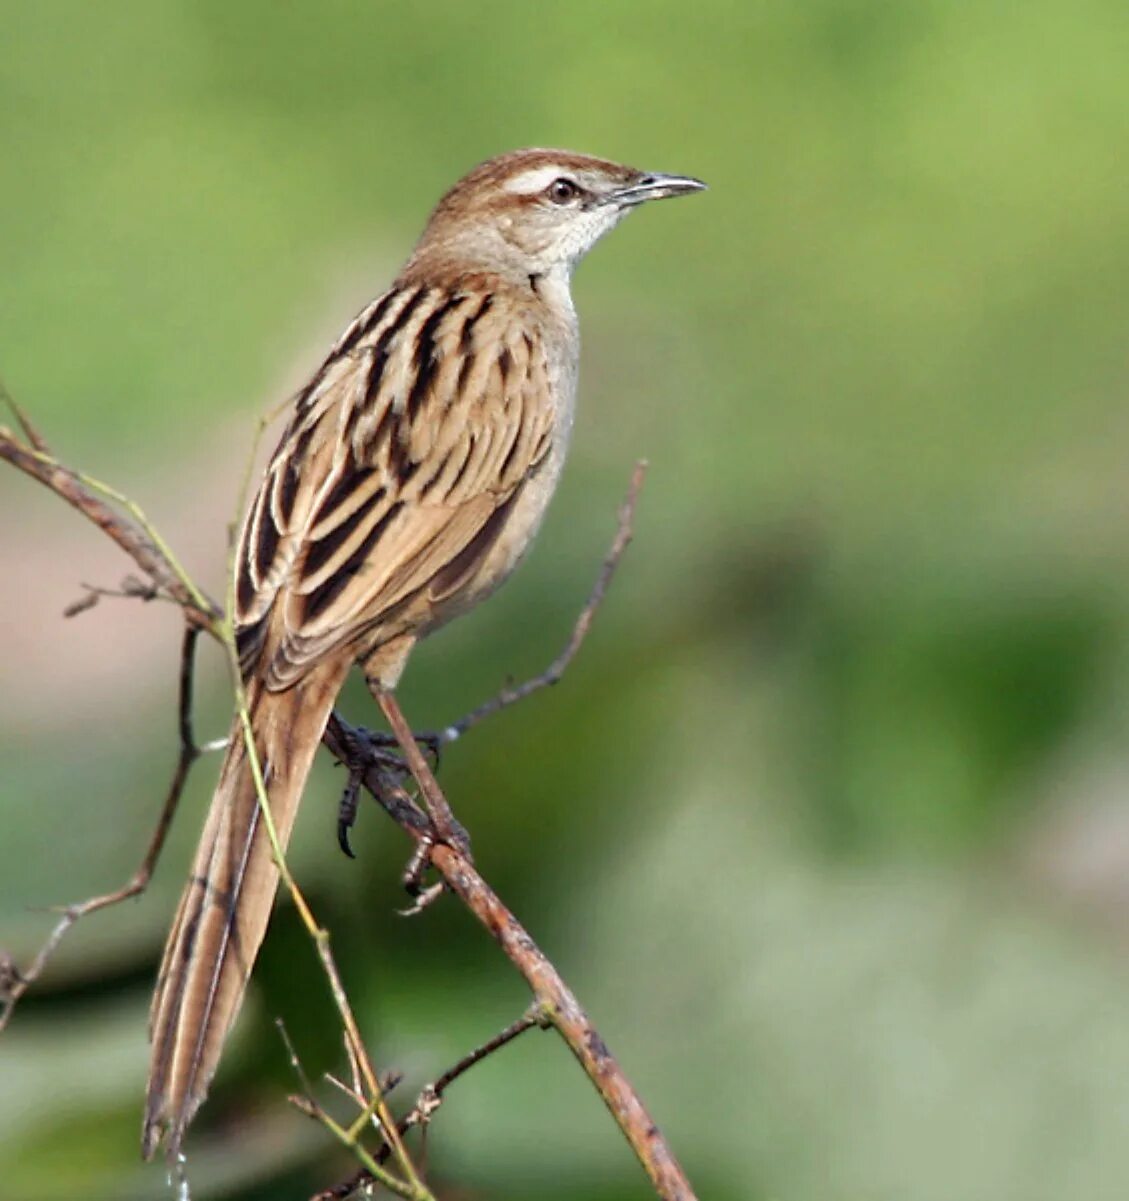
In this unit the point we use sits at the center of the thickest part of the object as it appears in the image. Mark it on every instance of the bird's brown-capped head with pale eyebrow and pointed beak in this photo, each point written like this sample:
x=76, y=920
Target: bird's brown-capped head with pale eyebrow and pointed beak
x=536, y=213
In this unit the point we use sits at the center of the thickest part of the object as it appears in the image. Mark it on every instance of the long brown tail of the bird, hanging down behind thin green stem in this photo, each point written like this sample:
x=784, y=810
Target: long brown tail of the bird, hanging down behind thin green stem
x=228, y=901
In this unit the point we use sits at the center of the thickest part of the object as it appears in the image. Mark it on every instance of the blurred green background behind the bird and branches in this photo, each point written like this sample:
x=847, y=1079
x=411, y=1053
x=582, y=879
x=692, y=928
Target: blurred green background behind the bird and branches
x=829, y=826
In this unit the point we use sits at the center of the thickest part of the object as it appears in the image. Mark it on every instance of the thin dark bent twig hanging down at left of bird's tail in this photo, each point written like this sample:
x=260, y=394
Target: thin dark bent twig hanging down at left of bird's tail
x=140, y=881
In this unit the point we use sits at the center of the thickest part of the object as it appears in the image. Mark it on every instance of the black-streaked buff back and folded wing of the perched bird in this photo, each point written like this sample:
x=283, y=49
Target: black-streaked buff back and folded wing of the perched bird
x=420, y=428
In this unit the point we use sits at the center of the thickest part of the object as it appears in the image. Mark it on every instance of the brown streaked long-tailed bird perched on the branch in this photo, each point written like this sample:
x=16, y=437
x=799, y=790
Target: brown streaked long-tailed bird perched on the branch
x=410, y=480
